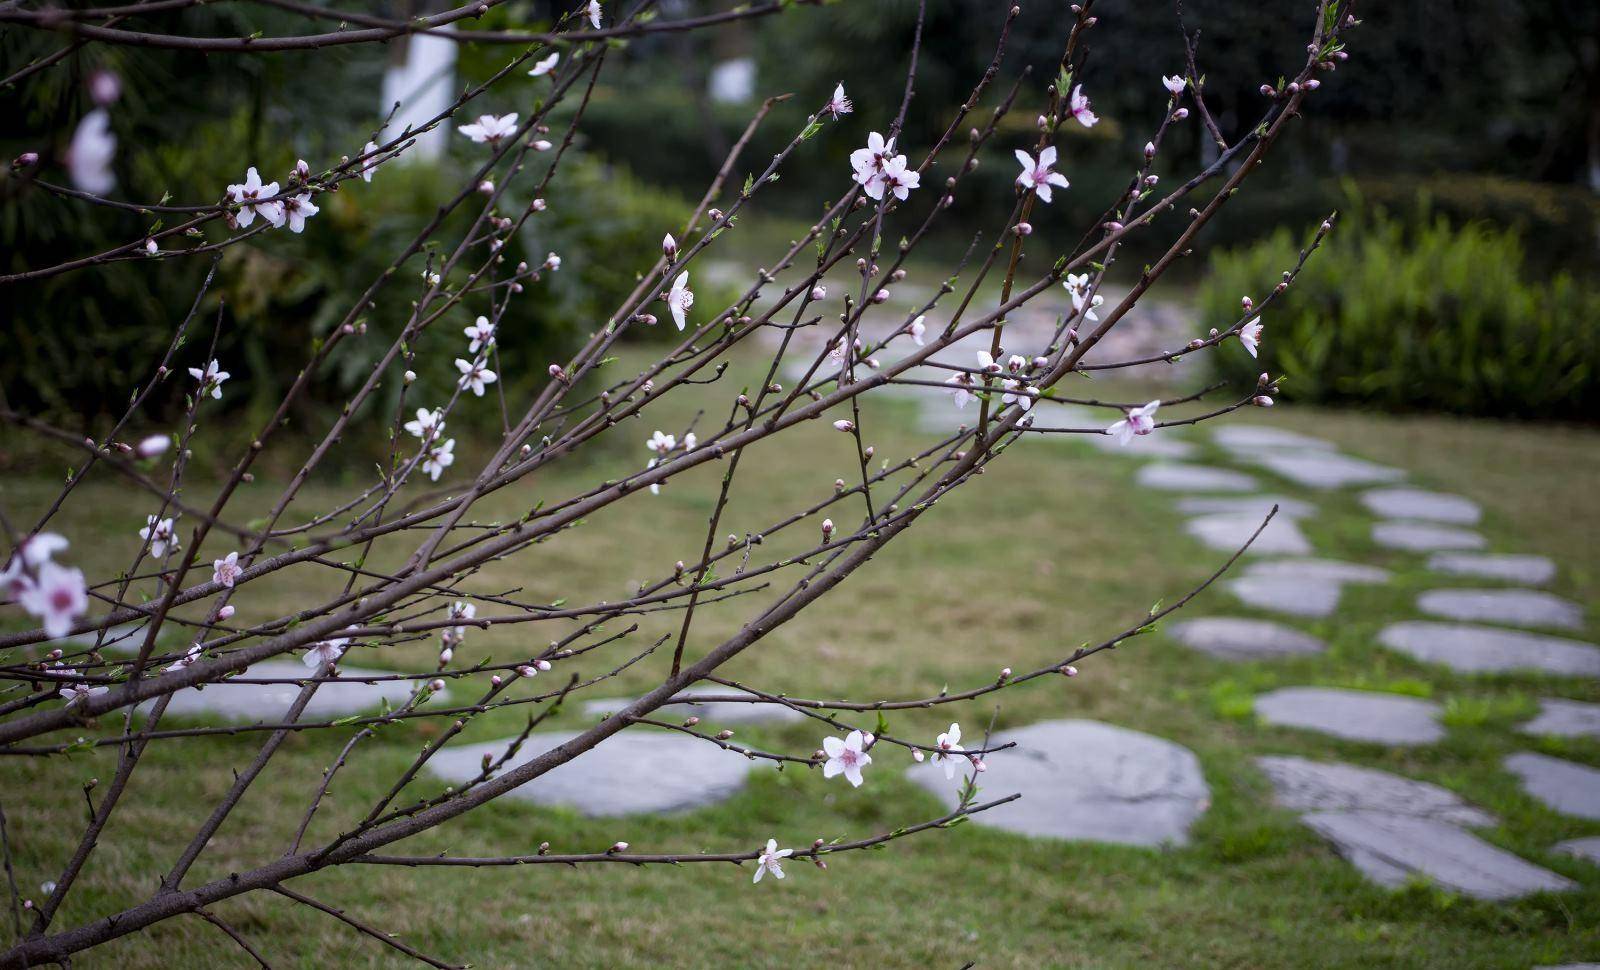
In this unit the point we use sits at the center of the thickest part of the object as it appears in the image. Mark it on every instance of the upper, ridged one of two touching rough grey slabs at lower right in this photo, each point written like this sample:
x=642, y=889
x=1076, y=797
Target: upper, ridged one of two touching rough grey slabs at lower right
x=1334, y=787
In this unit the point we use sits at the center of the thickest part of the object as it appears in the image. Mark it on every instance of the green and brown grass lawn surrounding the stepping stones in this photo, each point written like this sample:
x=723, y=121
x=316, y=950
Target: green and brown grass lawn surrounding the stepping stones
x=1052, y=548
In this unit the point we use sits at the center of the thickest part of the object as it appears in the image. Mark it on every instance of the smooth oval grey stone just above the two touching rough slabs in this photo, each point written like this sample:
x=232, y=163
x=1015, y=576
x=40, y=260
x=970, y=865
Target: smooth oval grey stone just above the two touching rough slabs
x=1353, y=715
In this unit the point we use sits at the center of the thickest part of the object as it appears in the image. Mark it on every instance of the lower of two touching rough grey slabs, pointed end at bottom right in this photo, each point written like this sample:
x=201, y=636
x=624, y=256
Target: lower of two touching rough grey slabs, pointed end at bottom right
x=1394, y=849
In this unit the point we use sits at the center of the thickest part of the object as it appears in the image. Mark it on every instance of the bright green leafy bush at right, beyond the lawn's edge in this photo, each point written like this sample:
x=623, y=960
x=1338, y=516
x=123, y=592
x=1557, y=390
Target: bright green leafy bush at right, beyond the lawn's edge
x=1415, y=315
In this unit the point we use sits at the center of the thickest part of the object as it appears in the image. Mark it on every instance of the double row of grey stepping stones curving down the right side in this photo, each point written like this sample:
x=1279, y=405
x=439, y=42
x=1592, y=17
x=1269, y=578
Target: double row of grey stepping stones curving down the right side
x=1388, y=827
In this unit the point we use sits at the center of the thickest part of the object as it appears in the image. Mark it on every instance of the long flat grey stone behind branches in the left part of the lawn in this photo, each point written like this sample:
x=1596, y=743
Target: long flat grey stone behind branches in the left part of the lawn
x=268, y=703
